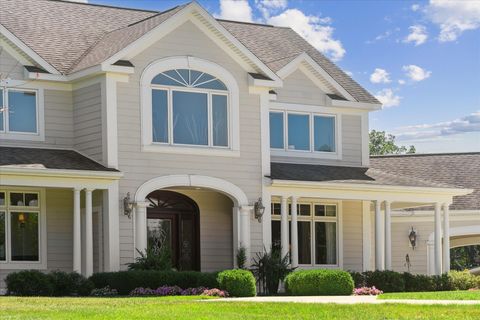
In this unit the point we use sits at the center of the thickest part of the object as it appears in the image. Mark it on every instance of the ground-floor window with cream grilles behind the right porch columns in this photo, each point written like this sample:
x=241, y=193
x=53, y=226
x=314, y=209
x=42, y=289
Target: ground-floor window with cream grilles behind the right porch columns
x=317, y=232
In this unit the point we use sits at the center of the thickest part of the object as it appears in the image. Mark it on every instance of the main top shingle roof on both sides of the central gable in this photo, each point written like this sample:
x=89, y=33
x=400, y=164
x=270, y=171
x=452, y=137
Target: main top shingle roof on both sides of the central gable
x=74, y=36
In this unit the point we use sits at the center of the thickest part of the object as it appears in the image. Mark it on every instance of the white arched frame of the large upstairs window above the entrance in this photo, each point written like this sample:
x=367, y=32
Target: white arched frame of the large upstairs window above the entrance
x=233, y=113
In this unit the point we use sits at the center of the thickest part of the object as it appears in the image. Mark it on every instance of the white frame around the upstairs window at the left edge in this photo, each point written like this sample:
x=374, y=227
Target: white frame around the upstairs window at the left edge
x=39, y=135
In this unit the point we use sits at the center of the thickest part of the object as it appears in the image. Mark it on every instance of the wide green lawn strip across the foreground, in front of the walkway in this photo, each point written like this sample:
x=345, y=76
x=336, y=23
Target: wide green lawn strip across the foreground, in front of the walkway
x=188, y=308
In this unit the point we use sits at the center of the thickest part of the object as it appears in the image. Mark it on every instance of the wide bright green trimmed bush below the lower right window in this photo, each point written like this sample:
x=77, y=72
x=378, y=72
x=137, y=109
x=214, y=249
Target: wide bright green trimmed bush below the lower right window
x=319, y=283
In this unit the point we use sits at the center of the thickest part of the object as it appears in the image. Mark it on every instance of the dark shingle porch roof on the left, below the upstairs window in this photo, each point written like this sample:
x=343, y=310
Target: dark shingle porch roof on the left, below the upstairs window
x=48, y=159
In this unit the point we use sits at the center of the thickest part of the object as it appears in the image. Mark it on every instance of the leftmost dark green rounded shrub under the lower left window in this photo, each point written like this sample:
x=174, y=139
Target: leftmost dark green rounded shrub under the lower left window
x=28, y=283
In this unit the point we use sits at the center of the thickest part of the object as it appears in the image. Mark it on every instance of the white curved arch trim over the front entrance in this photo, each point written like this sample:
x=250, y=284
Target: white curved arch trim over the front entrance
x=229, y=189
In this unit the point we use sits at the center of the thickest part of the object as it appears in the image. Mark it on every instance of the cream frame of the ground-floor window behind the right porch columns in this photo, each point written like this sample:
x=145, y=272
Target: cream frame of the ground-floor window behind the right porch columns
x=312, y=219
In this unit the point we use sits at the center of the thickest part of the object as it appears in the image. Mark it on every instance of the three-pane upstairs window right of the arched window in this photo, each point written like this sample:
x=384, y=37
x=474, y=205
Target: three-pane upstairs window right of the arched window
x=306, y=132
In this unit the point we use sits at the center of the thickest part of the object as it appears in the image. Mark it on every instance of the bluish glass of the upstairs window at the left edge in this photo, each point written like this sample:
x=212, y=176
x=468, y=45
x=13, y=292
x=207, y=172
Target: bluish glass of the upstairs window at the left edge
x=18, y=111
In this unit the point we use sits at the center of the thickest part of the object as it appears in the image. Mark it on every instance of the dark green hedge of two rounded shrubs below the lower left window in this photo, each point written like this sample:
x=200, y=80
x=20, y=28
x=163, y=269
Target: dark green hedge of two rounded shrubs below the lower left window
x=56, y=283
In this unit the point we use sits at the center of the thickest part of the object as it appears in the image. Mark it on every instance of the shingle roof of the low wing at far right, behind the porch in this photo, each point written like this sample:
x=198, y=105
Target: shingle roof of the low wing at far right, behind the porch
x=460, y=169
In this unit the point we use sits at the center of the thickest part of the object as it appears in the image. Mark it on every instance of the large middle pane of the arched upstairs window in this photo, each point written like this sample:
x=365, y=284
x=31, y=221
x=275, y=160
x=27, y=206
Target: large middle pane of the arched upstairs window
x=190, y=118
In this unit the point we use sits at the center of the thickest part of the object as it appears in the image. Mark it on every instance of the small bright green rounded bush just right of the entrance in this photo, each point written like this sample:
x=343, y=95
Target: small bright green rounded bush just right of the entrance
x=238, y=283
